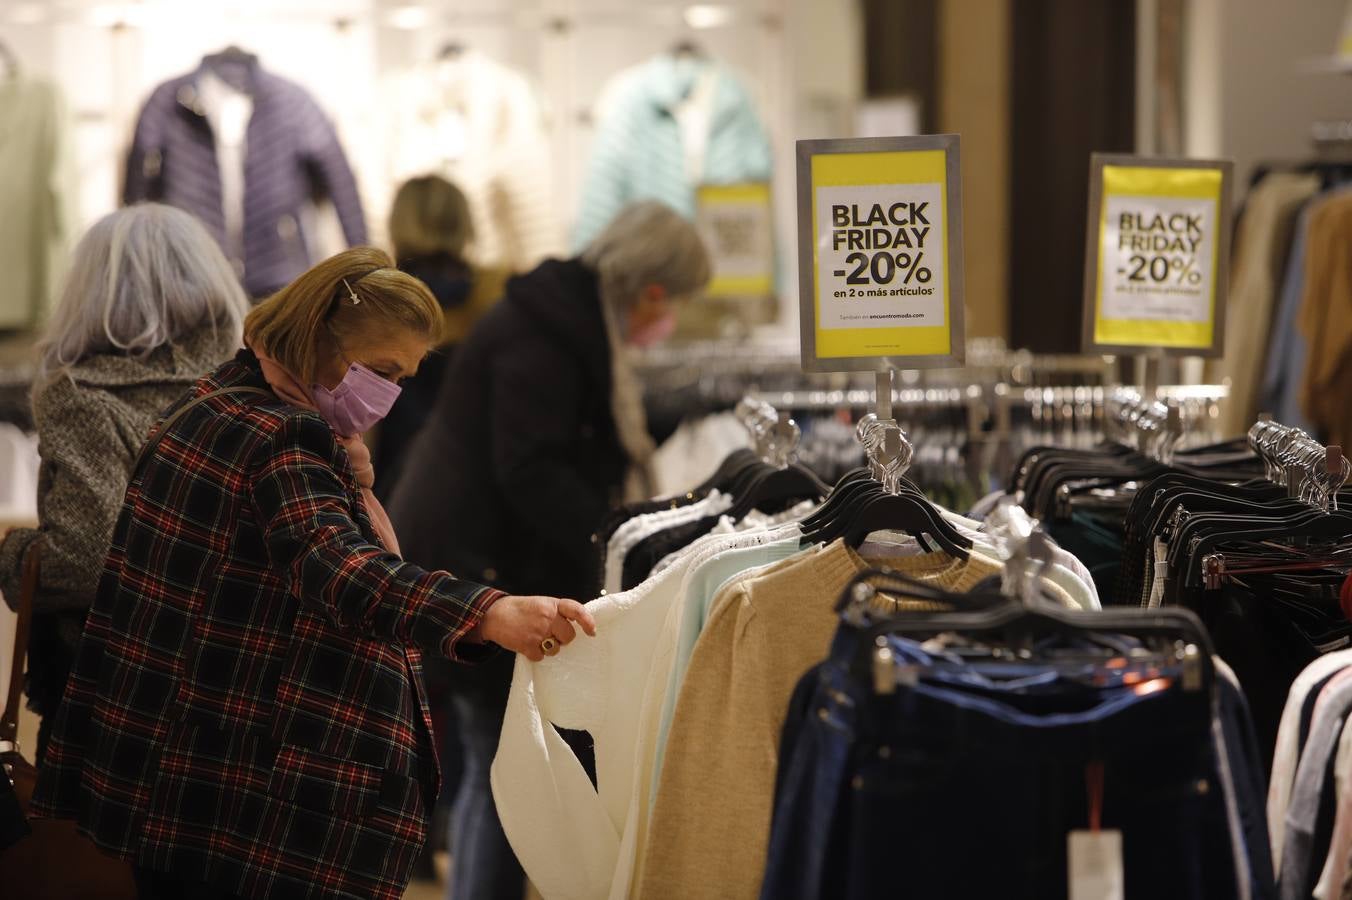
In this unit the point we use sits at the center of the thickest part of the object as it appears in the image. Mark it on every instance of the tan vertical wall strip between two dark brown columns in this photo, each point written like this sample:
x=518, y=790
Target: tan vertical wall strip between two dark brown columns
x=975, y=103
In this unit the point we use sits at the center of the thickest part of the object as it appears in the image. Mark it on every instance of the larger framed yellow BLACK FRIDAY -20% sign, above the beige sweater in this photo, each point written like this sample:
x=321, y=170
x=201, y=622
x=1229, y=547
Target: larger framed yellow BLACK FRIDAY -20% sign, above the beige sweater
x=881, y=284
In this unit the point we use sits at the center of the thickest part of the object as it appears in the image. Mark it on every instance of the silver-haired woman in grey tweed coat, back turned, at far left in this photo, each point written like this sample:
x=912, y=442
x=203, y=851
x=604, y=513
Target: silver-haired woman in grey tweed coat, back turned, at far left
x=149, y=306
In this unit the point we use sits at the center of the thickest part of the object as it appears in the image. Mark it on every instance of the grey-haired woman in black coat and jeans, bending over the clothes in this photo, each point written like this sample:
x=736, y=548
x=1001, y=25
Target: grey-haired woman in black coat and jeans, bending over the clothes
x=537, y=432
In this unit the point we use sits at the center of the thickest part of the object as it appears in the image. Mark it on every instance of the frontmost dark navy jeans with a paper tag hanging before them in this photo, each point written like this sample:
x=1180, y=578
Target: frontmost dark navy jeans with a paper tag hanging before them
x=946, y=780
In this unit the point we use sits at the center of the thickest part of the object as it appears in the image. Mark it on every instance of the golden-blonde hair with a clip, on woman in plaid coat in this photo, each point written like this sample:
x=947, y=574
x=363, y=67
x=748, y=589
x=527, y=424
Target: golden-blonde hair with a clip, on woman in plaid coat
x=297, y=325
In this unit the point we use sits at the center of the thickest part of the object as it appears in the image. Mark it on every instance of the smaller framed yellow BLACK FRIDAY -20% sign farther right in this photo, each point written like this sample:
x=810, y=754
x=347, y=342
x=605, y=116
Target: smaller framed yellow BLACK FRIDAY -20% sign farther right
x=1158, y=256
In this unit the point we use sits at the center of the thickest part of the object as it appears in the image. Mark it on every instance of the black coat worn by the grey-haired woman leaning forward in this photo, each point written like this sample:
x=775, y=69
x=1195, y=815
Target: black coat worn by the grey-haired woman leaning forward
x=520, y=461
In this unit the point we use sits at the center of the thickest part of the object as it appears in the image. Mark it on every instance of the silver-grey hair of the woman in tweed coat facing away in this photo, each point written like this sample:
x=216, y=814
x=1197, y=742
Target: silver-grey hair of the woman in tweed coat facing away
x=141, y=278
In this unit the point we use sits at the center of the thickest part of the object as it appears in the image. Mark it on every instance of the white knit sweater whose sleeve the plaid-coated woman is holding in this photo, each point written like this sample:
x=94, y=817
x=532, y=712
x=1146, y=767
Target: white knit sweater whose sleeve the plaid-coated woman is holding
x=574, y=841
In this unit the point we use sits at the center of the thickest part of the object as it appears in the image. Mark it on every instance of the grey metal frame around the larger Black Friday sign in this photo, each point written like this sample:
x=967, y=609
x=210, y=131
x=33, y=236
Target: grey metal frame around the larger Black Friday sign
x=948, y=144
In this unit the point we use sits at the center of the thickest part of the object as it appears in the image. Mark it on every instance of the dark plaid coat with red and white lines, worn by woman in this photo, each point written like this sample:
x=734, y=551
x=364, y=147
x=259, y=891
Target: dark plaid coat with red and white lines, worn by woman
x=247, y=705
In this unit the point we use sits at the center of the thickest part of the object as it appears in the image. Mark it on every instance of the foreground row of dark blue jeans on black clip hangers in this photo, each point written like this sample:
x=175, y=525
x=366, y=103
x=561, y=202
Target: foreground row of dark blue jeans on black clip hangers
x=919, y=720
